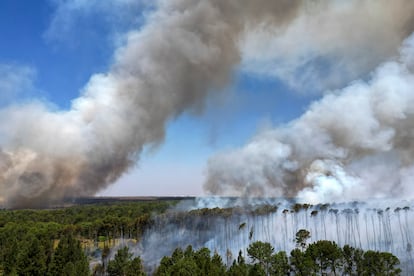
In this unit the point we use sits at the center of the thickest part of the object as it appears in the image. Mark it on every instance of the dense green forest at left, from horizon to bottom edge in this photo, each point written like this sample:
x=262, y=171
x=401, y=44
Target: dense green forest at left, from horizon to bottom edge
x=32, y=241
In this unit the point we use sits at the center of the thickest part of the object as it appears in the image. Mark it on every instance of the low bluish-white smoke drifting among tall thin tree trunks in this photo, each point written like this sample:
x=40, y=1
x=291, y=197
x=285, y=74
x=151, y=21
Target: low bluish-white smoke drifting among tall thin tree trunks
x=373, y=225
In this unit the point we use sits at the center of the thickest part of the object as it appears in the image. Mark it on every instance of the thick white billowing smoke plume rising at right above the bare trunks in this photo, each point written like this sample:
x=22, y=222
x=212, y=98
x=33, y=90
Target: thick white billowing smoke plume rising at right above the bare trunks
x=353, y=143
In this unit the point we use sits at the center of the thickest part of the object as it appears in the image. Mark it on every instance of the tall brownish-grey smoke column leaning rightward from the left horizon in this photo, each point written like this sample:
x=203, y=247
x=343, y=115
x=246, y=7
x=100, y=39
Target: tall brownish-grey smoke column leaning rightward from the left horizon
x=186, y=50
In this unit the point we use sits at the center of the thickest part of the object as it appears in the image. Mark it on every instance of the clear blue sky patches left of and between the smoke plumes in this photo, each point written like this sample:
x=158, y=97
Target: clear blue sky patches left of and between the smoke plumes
x=50, y=49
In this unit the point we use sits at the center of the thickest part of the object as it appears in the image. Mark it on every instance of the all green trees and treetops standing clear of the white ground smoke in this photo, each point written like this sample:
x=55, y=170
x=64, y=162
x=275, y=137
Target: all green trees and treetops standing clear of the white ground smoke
x=59, y=241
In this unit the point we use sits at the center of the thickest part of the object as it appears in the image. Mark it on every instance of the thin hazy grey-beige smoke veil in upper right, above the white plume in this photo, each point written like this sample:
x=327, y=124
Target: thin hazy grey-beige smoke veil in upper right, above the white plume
x=328, y=43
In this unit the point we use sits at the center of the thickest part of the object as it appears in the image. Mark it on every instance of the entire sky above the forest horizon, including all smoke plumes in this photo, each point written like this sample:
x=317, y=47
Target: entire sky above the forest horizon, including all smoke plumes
x=306, y=99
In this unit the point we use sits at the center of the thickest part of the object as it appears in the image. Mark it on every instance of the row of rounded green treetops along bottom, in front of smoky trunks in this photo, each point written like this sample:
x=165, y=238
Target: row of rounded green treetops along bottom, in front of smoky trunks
x=320, y=258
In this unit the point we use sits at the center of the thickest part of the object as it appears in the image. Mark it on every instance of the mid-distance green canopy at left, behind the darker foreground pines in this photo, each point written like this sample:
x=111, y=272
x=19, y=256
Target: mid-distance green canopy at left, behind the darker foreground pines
x=89, y=221
